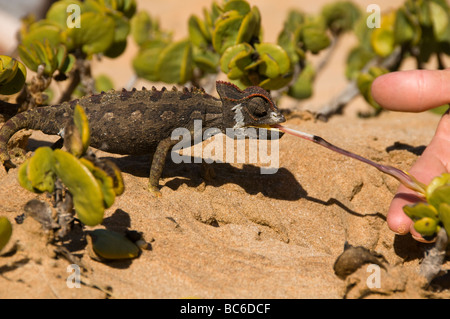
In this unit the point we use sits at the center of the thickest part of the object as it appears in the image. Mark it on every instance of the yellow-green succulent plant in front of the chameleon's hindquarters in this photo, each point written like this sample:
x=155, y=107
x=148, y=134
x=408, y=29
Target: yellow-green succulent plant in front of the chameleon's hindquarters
x=93, y=183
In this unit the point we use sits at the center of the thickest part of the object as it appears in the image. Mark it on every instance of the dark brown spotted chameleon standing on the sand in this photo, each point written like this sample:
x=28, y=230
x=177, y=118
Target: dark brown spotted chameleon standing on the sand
x=138, y=122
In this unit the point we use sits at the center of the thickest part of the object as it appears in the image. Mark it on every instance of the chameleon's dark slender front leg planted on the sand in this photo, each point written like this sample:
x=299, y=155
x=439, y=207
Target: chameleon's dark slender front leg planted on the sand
x=159, y=159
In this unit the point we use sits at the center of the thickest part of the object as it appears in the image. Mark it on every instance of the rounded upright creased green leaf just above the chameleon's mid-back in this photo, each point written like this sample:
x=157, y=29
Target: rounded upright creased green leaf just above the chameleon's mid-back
x=175, y=63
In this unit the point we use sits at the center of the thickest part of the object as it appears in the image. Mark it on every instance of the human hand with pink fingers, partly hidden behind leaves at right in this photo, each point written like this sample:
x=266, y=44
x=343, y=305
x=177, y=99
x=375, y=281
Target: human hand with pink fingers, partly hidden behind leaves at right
x=417, y=91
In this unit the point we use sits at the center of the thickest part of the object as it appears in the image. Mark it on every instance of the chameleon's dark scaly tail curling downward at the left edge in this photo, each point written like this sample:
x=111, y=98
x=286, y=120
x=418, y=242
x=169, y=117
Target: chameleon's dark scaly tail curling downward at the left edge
x=36, y=119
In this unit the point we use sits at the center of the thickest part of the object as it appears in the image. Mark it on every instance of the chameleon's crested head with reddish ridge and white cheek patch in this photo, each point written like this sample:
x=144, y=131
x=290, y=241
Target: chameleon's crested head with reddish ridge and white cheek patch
x=252, y=107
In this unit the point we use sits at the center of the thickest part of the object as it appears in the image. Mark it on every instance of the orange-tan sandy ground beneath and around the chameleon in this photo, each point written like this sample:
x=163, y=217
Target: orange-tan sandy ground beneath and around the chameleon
x=243, y=234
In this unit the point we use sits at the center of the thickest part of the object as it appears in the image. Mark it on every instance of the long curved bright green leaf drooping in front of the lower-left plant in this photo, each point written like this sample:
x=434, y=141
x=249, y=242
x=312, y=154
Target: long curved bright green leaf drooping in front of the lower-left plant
x=86, y=192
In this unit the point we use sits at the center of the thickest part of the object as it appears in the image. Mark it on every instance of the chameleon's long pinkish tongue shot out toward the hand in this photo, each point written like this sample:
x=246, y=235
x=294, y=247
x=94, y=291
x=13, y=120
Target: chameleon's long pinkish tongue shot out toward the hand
x=402, y=176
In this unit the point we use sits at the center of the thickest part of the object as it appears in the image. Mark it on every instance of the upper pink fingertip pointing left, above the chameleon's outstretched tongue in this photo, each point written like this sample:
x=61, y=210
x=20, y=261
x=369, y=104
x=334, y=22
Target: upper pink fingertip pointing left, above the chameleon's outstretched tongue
x=412, y=91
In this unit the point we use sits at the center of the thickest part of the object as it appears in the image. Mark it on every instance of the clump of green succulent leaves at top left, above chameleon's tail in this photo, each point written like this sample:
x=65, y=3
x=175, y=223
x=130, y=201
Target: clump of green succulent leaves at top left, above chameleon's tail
x=105, y=27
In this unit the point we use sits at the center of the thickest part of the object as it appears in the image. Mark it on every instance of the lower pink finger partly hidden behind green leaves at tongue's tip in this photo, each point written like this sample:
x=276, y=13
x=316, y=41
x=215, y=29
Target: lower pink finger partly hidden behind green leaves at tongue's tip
x=433, y=162
